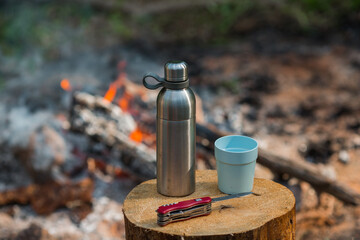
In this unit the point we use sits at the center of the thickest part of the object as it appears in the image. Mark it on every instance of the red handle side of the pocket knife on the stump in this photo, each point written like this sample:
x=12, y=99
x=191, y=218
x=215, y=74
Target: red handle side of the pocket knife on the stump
x=183, y=205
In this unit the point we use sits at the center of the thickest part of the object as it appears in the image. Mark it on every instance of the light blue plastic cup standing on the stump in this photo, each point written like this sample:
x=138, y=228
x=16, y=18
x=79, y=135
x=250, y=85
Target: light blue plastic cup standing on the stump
x=235, y=160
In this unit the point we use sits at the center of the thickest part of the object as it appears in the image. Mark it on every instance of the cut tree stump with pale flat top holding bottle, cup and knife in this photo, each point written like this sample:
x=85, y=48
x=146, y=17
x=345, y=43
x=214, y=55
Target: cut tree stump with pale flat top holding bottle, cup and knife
x=268, y=216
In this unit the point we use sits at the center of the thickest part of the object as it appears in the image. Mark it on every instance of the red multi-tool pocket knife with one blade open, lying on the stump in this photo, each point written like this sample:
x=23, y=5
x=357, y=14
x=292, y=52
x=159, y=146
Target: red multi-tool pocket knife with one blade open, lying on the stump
x=184, y=210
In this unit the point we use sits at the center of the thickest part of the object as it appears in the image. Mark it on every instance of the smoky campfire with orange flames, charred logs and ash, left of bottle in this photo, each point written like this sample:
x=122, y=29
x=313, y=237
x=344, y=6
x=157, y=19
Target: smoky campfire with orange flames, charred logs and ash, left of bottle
x=81, y=167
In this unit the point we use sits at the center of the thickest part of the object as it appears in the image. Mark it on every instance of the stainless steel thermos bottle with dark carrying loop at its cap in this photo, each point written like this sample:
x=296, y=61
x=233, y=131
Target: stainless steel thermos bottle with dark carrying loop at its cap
x=175, y=133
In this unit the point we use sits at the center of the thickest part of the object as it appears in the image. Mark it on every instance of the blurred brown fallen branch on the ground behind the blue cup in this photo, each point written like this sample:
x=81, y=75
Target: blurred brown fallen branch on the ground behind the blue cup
x=302, y=170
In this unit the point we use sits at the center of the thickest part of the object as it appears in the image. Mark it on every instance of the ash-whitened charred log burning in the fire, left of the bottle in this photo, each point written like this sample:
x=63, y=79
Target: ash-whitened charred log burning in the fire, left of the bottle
x=106, y=122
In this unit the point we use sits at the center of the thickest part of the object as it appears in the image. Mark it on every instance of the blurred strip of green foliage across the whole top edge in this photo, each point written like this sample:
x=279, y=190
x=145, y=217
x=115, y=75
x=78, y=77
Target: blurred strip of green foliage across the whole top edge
x=47, y=25
